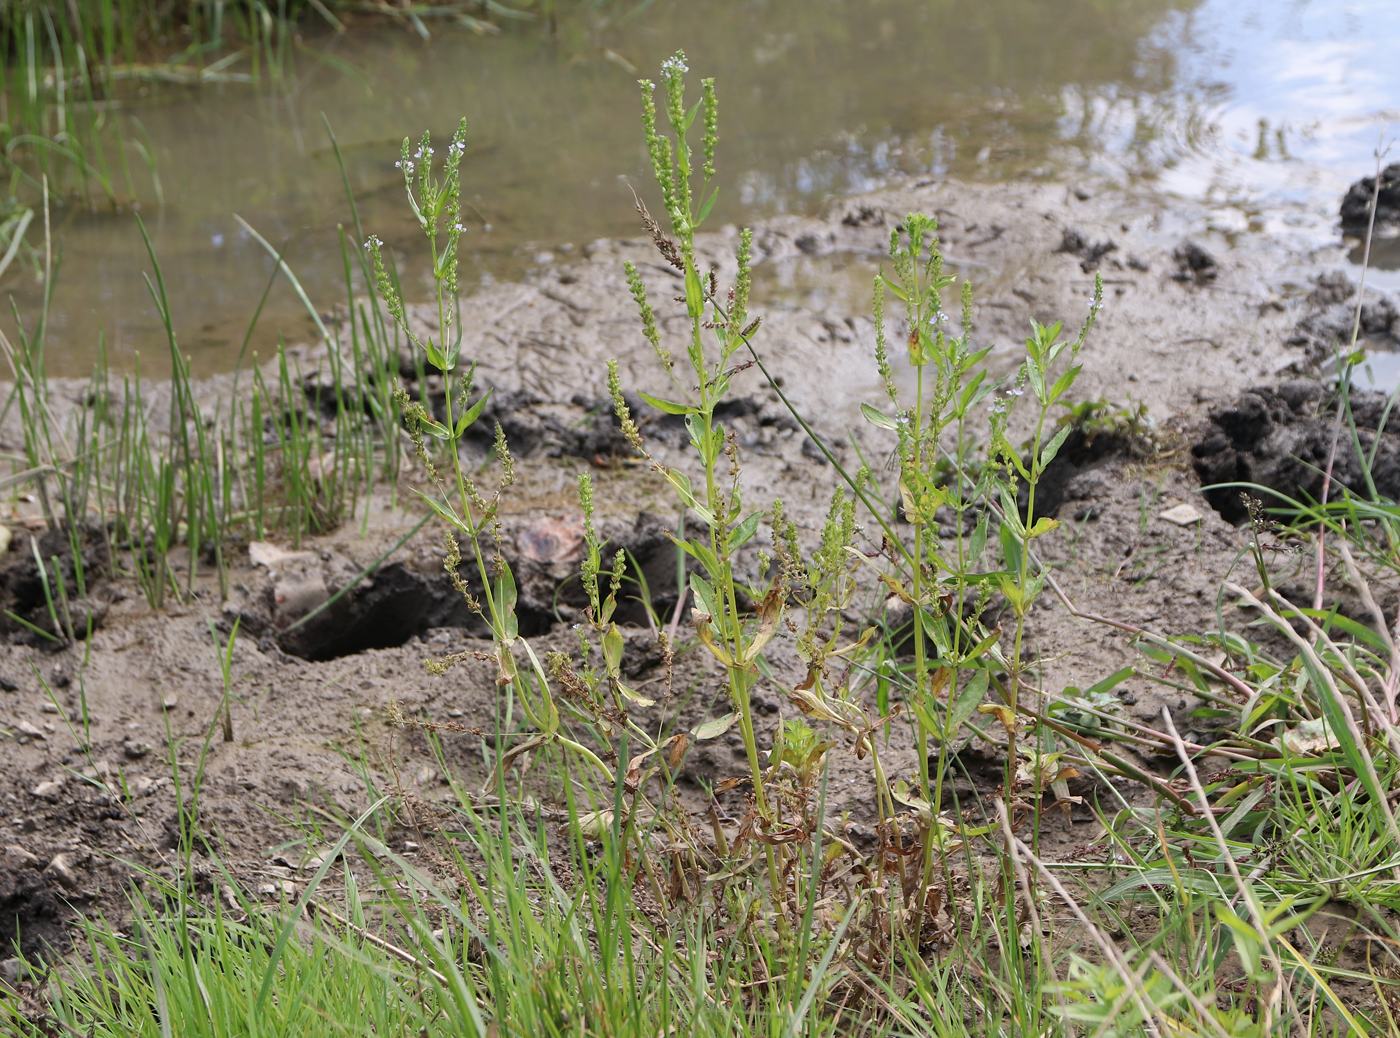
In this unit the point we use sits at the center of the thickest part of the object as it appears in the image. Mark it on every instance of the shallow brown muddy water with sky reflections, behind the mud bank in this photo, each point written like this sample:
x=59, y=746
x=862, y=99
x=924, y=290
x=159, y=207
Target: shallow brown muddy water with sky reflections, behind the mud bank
x=1262, y=110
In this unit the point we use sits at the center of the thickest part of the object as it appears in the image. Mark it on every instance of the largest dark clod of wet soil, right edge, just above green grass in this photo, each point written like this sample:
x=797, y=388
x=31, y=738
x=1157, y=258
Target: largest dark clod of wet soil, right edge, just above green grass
x=1280, y=438
